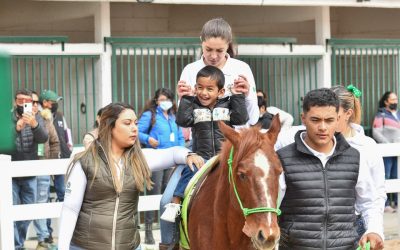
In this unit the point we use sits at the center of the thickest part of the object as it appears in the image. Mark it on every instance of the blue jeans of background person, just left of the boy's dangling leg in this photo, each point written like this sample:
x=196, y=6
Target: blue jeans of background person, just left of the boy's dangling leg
x=168, y=229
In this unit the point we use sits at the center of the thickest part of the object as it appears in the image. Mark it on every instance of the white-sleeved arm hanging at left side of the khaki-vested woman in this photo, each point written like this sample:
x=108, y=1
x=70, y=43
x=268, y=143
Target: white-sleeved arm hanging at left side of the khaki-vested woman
x=74, y=193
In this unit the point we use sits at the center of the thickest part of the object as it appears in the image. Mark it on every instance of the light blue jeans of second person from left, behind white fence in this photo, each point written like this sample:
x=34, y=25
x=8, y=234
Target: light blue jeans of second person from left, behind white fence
x=43, y=187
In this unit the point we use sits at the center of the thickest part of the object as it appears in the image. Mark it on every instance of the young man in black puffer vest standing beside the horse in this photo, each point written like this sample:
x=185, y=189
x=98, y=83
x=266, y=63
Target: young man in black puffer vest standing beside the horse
x=321, y=183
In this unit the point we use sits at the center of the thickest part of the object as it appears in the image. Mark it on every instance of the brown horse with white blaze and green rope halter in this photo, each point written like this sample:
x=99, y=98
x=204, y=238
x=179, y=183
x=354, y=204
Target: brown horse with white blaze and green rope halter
x=216, y=219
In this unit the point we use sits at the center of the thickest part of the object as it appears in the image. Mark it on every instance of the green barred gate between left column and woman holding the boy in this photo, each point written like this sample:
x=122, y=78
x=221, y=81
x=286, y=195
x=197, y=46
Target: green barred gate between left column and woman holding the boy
x=142, y=65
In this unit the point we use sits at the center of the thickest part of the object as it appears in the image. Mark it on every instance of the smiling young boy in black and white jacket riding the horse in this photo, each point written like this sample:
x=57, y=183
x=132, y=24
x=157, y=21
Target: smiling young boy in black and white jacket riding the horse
x=202, y=113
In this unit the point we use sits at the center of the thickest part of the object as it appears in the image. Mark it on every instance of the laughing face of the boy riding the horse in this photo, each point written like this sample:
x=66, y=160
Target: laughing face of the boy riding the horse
x=207, y=91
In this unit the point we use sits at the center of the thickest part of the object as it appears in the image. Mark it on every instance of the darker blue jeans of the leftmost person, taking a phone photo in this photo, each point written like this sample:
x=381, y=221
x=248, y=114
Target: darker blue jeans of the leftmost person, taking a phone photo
x=24, y=192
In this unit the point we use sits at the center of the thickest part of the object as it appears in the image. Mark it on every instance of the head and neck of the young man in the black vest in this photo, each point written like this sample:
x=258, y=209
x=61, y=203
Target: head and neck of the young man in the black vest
x=321, y=123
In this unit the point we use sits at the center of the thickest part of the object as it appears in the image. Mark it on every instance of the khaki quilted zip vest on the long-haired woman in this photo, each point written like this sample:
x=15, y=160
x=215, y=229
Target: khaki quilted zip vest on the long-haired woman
x=101, y=206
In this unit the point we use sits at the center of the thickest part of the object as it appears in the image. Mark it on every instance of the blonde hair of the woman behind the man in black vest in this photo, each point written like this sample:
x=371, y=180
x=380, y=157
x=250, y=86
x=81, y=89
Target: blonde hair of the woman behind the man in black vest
x=347, y=101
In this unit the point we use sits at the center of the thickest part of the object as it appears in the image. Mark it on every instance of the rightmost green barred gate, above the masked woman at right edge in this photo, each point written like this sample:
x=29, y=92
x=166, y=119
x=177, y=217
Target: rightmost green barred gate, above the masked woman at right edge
x=372, y=65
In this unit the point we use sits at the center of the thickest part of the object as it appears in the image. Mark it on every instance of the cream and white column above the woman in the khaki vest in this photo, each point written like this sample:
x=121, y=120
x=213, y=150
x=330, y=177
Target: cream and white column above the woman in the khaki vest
x=102, y=26
